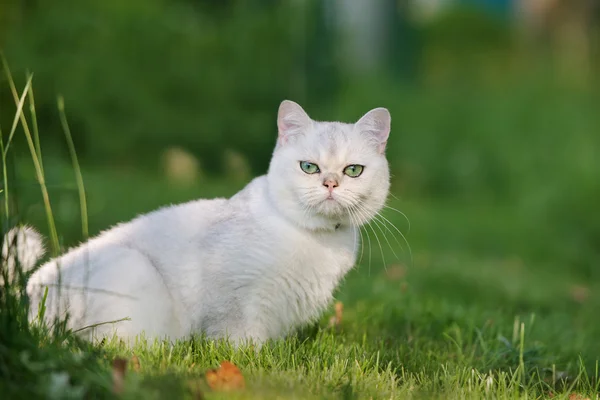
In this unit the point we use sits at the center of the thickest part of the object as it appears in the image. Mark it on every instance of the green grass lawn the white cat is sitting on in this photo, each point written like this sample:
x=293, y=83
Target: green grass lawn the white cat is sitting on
x=481, y=311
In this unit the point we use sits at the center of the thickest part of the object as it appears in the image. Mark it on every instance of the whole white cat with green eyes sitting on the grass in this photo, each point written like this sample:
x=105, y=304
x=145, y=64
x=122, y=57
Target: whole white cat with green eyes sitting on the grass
x=254, y=266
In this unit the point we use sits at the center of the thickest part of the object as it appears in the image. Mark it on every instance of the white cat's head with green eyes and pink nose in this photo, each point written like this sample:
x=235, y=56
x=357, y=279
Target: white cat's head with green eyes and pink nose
x=327, y=173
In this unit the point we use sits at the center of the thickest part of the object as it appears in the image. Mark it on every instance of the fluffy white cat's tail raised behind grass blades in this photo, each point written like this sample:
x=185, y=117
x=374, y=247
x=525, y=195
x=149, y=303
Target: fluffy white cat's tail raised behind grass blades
x=22, y=247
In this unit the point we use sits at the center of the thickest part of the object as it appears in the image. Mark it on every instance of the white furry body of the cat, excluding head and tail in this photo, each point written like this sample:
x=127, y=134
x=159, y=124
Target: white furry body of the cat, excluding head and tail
x=260, y=293
